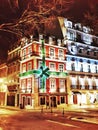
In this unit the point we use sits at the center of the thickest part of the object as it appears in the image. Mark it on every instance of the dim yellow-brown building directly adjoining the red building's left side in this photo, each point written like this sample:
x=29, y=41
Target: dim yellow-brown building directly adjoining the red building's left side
x=13, y=63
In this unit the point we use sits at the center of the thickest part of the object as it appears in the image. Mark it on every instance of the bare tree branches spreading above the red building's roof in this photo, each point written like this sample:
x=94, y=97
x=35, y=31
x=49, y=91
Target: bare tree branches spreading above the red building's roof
x=37, y=14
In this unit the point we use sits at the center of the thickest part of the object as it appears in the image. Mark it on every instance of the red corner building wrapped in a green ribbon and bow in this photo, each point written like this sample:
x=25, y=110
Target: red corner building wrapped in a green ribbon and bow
x=33, y=91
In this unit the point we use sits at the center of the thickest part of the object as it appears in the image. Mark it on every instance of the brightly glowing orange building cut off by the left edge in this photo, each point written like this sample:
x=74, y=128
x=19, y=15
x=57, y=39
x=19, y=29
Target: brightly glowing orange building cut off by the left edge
x=3, y=84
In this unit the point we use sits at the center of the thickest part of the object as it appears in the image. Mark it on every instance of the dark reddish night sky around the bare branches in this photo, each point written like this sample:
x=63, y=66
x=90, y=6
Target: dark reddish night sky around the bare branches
x=9, y=12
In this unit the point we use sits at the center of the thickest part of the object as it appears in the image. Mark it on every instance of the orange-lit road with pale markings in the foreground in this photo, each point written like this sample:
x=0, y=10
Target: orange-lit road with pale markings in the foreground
x=85, y=119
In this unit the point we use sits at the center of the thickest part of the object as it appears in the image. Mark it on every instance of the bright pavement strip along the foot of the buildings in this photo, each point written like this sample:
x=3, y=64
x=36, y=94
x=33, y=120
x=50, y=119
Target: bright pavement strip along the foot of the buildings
x=77, y=108
